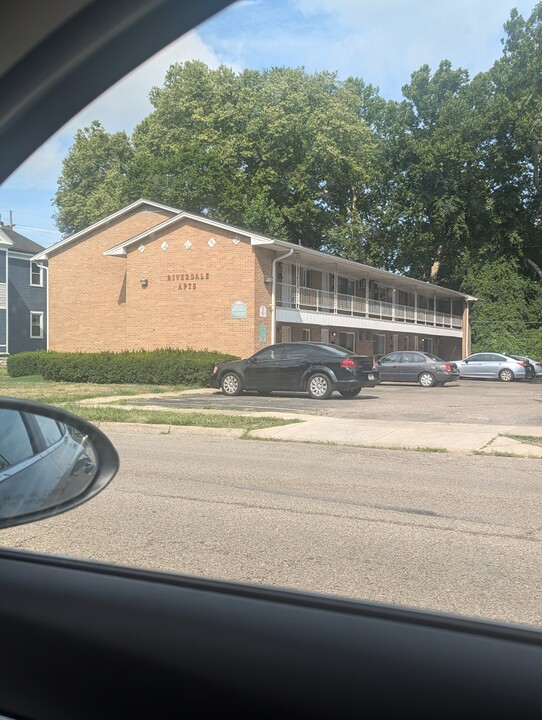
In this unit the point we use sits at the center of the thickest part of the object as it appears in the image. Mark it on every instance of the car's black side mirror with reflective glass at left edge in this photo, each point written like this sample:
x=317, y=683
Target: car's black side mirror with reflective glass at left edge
x=50, y=461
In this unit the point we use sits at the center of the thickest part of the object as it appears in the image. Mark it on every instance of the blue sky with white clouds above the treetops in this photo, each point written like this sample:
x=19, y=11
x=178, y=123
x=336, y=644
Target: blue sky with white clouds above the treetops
x=380, y=41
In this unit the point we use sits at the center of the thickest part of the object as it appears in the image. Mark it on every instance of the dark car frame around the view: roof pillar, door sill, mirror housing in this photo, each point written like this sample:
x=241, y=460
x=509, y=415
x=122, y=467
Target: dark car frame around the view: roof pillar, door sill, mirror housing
x=83, y=639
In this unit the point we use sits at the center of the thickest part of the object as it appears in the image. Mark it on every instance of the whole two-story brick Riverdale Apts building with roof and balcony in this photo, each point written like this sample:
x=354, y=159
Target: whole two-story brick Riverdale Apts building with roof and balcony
x=150, y=276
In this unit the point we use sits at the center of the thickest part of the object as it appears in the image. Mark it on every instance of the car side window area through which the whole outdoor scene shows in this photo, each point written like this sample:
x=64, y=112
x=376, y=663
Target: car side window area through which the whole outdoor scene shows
x=360, y=176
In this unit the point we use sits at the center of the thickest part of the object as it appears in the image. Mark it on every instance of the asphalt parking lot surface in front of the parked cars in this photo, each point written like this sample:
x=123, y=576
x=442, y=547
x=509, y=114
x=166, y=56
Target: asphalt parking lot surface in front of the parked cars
x=466, y=401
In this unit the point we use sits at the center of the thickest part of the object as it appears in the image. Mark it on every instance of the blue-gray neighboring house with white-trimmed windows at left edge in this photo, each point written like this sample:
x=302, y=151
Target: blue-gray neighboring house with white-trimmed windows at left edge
x=23, y=294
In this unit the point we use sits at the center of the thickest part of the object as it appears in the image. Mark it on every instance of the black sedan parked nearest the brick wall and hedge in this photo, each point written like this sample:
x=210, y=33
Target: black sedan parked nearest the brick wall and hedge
x=316, y=368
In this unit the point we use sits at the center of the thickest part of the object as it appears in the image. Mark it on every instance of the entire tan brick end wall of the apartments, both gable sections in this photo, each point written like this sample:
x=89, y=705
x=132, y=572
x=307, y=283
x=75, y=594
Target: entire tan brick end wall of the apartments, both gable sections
x=97, y=302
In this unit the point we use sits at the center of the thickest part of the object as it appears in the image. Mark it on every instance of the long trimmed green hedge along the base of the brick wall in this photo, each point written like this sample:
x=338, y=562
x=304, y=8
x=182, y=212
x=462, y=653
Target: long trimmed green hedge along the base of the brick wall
x=153, y=367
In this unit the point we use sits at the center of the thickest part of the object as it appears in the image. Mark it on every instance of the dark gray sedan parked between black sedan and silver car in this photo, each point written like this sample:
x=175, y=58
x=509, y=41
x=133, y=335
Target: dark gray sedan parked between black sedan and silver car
x=424, y=368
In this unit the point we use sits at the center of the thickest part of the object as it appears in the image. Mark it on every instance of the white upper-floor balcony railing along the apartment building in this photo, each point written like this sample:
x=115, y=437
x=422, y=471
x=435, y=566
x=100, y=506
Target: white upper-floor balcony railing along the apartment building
x=328, y=302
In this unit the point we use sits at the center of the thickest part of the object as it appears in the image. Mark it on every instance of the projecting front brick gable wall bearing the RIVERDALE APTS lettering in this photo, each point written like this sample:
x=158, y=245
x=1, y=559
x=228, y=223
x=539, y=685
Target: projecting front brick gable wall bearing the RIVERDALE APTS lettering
x=190, y=293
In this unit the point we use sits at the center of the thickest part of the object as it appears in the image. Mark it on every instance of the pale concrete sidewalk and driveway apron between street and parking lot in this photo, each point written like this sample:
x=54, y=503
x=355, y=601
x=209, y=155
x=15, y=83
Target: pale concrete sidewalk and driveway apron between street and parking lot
x=446, y=437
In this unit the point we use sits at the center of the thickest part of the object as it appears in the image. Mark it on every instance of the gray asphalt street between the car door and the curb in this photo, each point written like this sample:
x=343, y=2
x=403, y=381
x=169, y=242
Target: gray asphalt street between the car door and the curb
x=442, y=531
